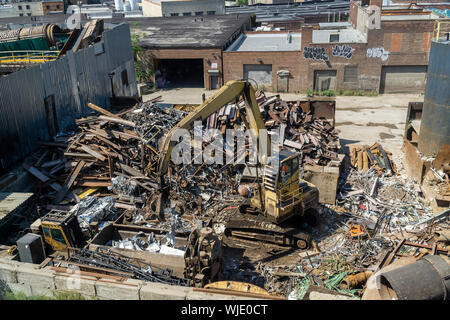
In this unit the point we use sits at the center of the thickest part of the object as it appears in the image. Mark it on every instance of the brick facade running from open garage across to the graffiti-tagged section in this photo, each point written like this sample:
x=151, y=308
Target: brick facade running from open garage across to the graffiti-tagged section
x=407, y=43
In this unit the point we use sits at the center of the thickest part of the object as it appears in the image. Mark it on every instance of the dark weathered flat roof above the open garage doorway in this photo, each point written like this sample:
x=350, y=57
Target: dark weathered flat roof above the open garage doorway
x=213, y=31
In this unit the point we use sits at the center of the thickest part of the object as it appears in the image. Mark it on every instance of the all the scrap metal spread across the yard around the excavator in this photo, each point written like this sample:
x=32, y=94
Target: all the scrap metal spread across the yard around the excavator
x=108, y=171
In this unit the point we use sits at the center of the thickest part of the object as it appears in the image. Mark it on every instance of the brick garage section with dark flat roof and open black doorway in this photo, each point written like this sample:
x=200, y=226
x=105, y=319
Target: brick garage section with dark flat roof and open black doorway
x=187, y=51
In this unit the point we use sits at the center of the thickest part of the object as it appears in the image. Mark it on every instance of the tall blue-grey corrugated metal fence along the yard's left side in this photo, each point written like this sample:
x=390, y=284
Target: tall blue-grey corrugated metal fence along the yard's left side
x=68, y=84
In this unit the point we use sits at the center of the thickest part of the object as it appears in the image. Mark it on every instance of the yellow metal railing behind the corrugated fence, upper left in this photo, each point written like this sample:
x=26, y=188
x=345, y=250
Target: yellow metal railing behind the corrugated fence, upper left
x=27, y=56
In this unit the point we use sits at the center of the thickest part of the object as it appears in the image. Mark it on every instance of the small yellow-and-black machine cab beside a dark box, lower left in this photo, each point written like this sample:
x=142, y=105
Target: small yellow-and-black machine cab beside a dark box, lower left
x=61, y=230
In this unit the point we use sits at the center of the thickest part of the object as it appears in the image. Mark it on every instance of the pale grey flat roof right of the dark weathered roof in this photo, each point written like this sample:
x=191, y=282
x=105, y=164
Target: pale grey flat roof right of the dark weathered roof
x=267, y=42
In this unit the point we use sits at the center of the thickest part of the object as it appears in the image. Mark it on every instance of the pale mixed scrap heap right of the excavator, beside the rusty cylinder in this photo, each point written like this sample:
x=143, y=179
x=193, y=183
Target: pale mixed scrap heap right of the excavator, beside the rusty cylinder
x=379, y=218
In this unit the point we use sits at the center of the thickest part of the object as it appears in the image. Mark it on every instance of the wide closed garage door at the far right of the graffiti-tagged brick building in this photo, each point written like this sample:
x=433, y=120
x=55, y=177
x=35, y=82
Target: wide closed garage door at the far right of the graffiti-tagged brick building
x=403, y=79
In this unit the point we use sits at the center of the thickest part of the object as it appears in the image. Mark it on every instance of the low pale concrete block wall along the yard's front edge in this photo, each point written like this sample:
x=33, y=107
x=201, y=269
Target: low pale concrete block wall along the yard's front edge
x=27, y=279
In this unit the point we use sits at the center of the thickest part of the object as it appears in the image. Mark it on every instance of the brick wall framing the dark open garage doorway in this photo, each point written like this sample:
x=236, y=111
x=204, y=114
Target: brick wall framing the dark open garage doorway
x=209, y=57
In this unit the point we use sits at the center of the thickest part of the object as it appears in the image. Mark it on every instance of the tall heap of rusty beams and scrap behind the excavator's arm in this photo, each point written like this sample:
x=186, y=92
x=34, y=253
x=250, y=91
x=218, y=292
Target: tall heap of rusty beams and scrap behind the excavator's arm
x=117, y=155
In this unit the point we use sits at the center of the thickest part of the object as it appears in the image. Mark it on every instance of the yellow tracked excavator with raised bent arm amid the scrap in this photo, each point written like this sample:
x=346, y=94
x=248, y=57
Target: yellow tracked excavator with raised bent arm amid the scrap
x=281, y=195
